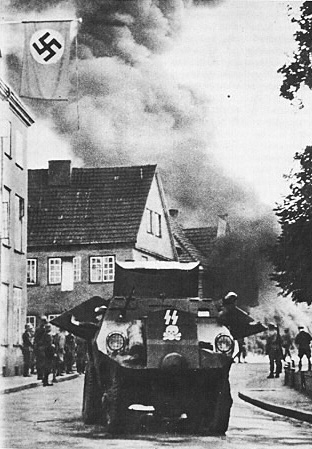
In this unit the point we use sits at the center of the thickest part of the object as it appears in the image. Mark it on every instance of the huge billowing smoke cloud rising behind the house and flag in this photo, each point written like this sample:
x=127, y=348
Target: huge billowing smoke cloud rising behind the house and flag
x=130, y=112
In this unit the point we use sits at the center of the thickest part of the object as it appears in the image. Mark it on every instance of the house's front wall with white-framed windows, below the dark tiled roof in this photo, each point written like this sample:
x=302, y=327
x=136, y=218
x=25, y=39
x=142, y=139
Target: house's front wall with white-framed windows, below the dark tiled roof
x=59, y=280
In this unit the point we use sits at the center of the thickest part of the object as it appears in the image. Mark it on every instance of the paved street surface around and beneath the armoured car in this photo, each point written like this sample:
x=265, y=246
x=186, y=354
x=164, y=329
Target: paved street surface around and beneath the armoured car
x=51, y=417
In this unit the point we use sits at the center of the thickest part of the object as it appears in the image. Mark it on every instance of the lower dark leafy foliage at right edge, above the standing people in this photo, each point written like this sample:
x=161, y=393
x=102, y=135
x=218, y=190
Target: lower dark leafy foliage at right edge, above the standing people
x=292, y=255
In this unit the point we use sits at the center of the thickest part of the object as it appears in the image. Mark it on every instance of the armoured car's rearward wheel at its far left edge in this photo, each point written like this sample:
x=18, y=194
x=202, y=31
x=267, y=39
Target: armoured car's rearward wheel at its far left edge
x=91, y=407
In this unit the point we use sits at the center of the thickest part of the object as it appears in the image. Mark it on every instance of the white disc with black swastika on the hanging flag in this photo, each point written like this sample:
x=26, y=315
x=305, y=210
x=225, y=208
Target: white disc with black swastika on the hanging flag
x=47, y=46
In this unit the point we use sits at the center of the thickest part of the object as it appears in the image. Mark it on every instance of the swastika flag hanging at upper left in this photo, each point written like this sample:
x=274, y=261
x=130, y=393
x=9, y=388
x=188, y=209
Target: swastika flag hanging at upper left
x=46, y=60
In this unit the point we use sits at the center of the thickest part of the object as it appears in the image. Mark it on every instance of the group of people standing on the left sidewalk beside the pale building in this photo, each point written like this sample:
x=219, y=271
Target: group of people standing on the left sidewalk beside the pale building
x=45, y=353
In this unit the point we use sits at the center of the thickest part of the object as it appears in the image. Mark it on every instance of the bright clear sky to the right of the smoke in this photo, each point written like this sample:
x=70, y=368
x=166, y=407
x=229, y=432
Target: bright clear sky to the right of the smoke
x=232, y=53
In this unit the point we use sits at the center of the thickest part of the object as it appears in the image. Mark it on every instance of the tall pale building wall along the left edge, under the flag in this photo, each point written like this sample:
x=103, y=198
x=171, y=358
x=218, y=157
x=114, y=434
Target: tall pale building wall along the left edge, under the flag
x=14, y=122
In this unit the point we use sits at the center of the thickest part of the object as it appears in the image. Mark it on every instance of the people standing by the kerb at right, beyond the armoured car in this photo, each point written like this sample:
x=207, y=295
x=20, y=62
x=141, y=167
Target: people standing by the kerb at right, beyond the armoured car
x=279, y=347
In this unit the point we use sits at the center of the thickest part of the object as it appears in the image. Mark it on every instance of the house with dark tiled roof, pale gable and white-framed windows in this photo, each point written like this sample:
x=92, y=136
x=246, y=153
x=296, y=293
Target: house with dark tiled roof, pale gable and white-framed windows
x=83, y=220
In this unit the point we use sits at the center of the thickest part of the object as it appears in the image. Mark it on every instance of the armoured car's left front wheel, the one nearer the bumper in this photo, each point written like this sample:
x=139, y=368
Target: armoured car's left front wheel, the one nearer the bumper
x=114, y=407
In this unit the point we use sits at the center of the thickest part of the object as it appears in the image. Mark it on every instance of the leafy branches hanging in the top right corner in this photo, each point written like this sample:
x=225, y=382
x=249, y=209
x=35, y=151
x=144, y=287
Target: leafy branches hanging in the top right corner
x=299, y=71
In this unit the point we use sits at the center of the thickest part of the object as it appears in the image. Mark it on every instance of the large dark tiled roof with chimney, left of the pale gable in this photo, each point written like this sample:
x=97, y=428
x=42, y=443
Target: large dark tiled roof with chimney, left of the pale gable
x=88, y=205
